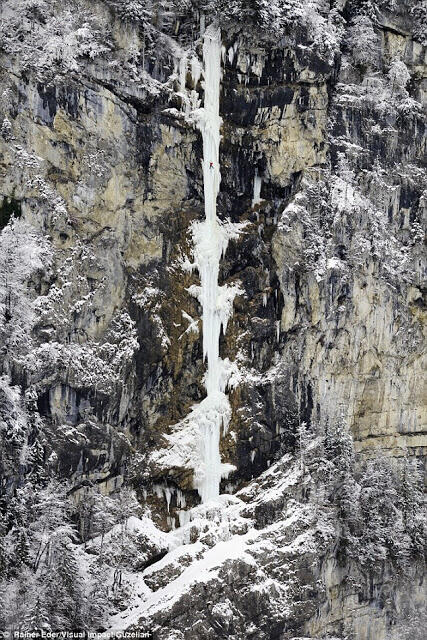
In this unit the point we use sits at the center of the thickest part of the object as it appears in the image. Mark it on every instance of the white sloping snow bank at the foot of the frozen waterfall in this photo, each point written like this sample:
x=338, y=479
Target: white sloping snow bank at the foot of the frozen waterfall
x=226, y=533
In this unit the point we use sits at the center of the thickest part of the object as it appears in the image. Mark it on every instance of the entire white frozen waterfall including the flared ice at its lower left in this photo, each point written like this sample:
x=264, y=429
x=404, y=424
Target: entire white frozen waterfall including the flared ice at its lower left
x=195, y=441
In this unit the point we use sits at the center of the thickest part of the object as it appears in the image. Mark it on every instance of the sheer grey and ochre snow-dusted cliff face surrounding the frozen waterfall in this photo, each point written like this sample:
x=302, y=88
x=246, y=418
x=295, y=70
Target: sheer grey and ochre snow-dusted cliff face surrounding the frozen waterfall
x=322, y=157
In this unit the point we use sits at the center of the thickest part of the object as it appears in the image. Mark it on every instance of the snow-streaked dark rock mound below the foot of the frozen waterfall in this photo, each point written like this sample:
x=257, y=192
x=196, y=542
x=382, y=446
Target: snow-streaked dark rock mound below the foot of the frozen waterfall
x=254, y=547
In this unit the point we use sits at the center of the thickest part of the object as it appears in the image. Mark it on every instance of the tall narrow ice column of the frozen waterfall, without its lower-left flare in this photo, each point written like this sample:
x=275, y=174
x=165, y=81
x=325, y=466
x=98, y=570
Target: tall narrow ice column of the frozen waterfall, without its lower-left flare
x=210, y=240
